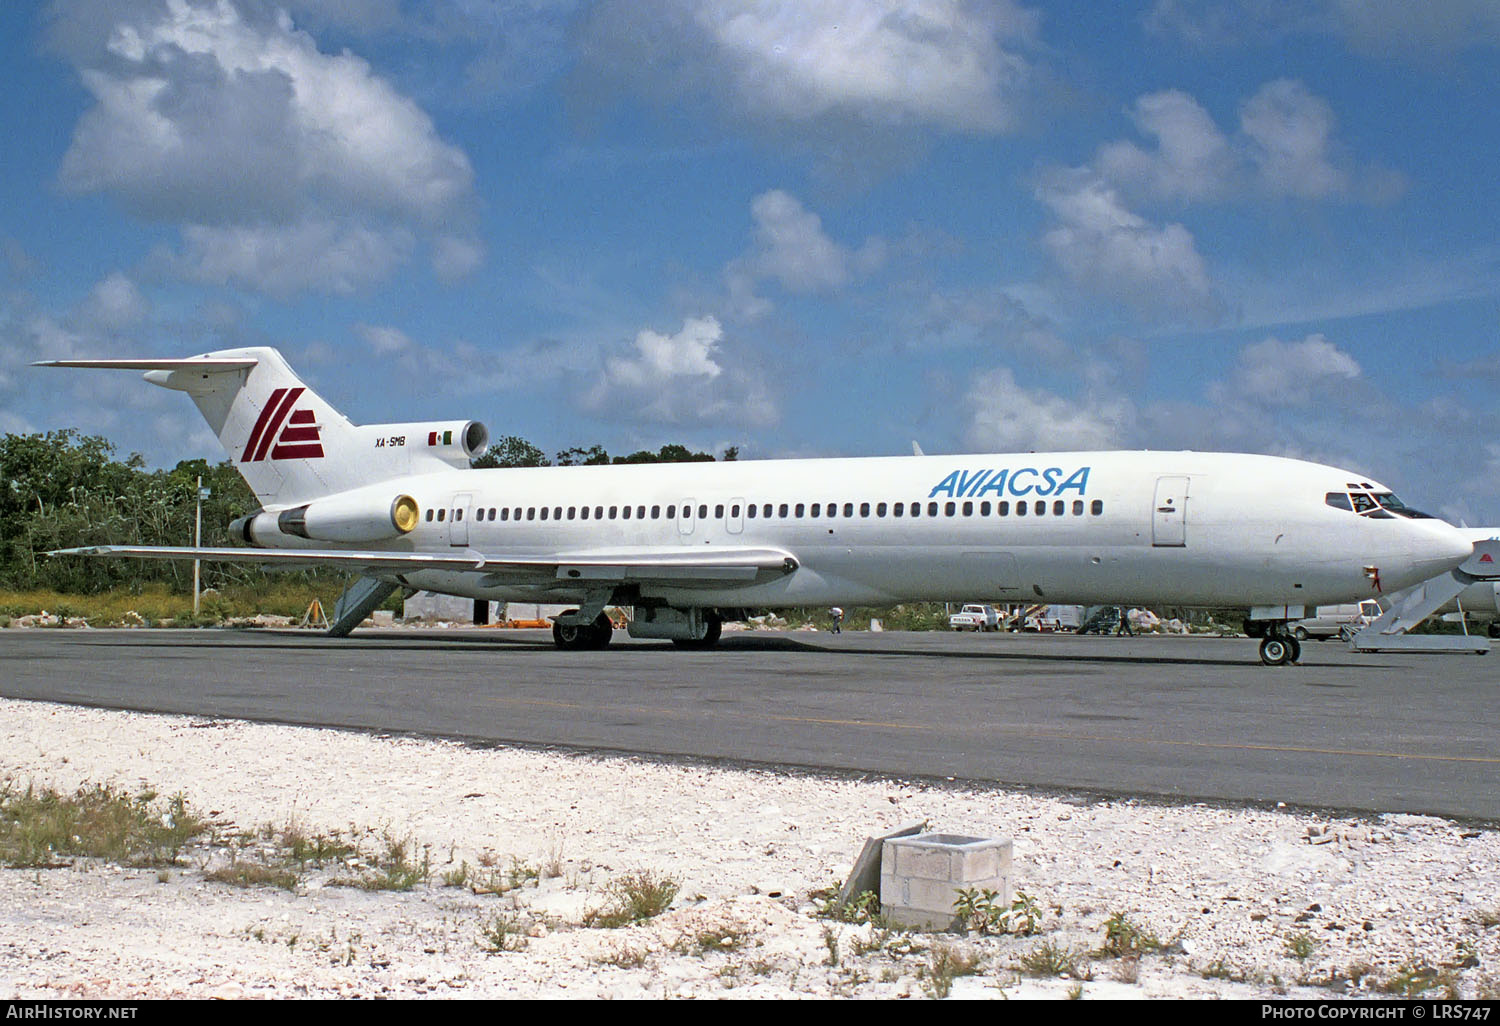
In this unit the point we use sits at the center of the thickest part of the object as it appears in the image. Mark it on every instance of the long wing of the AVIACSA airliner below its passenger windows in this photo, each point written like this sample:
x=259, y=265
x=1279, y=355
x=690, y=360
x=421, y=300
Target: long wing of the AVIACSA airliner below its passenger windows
x=682, y=568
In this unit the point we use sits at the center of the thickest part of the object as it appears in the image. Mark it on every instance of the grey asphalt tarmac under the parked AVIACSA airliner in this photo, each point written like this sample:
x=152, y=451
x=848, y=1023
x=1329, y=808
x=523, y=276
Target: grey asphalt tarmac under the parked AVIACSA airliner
x=1178, y=718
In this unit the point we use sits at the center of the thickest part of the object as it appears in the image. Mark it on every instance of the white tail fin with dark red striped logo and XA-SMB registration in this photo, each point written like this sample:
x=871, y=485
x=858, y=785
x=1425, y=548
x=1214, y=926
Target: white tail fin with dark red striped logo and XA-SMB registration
x=286, y=440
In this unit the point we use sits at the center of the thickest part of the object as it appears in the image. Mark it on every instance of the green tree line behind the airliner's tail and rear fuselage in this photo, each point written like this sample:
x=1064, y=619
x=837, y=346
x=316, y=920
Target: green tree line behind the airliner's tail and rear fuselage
x=65, y=490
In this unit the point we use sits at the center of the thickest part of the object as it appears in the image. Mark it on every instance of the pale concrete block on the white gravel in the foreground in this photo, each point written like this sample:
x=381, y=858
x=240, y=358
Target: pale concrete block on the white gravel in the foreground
x=923, y=874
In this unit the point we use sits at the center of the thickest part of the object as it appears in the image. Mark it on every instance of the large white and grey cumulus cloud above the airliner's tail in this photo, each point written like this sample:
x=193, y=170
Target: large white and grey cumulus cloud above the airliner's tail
x=281, y=163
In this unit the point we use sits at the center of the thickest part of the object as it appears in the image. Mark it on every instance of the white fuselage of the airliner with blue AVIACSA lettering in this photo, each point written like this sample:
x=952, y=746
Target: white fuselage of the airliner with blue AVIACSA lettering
x=1139, y=529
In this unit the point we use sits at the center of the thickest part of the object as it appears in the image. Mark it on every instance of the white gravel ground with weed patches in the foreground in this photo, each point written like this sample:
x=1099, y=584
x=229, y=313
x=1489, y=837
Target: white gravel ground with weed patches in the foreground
x=1376, y=907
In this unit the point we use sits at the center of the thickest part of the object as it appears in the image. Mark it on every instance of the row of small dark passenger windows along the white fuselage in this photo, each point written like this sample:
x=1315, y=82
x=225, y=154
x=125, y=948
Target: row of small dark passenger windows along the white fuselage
x=785, y=511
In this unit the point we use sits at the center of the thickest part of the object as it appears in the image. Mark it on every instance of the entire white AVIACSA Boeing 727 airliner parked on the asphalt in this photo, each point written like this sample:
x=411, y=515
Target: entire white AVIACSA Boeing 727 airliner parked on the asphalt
x=692, y=545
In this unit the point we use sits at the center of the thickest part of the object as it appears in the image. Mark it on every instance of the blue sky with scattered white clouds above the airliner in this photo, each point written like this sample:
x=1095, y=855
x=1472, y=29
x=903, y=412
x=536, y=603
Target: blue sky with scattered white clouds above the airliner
x=803, y=229
